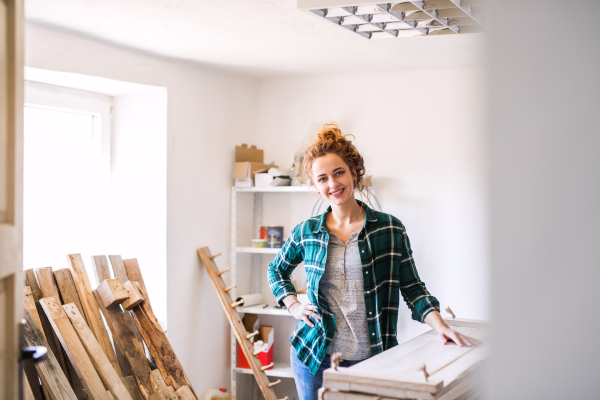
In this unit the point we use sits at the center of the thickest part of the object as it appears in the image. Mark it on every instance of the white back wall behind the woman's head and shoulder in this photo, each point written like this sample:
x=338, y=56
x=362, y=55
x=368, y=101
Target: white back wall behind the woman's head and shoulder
x=421, y=134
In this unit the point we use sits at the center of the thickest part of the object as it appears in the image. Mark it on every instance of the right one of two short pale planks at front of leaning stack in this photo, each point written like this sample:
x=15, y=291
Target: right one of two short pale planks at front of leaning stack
x=111, y=380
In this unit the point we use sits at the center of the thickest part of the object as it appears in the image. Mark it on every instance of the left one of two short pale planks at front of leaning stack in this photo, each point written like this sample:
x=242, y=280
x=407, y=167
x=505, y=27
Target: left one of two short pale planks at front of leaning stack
x=75, y=350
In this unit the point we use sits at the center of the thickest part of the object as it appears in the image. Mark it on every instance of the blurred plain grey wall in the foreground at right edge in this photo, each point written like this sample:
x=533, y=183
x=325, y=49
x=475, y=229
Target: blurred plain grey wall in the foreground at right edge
x=545, y=200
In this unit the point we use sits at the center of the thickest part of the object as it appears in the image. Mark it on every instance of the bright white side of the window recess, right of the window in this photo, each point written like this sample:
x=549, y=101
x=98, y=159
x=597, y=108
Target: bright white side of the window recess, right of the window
x=138, y=202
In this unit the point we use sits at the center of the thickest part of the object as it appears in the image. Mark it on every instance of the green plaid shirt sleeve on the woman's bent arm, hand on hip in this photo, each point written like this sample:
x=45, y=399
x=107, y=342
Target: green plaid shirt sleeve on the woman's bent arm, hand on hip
x=280, y=269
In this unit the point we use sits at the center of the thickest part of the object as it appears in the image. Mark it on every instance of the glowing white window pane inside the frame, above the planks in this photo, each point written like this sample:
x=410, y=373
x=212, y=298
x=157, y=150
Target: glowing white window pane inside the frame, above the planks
x=62, y=195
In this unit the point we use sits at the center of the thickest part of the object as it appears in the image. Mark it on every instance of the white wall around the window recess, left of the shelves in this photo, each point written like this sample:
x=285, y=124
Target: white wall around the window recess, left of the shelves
x=209, y=112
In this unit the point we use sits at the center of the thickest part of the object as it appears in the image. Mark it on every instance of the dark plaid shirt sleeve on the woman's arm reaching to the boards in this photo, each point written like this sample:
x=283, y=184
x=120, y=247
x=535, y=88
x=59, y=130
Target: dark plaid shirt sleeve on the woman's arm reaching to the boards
x=413, y=290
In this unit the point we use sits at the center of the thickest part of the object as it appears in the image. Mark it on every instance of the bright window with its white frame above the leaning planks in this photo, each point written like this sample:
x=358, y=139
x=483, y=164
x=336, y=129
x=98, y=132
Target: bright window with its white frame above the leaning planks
x=66, y=174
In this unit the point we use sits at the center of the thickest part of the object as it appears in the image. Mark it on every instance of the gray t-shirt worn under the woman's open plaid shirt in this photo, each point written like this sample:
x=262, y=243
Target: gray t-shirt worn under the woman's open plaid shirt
x=342, y=287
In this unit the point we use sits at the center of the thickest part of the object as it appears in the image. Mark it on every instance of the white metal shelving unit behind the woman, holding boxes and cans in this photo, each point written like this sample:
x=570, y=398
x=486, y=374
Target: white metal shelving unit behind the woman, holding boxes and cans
x=280, y=370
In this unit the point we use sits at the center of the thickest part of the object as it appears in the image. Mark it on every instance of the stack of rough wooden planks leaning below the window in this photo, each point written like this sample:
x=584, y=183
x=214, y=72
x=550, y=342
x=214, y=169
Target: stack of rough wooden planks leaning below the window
x=128, y=358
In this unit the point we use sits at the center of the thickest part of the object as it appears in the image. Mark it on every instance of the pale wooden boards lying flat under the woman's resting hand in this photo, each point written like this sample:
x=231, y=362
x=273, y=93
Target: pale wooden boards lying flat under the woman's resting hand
x=394, y=374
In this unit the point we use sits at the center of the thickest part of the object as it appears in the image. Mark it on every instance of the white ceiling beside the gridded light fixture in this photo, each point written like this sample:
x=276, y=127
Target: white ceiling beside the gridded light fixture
x=262, y=37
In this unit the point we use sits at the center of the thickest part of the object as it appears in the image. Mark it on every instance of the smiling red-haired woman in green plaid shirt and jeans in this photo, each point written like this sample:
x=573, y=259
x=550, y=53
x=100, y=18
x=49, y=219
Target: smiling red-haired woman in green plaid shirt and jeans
x=357, y=263
